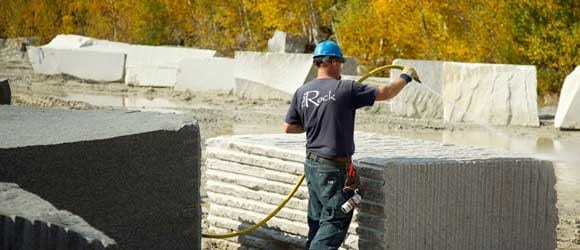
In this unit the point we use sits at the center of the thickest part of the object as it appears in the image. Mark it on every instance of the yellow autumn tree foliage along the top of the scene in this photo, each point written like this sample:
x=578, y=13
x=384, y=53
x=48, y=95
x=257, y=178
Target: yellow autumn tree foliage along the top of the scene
x=543, y=33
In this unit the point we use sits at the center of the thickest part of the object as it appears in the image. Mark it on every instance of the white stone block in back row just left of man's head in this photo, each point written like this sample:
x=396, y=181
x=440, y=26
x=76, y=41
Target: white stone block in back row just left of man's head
x=278, y=71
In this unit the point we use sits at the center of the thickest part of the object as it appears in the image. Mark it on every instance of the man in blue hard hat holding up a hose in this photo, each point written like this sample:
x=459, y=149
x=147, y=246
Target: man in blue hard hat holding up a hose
x=325, y=108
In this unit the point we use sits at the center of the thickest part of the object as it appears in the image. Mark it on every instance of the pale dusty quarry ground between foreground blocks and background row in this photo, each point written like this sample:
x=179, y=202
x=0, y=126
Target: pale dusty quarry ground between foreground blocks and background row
x=222, y=113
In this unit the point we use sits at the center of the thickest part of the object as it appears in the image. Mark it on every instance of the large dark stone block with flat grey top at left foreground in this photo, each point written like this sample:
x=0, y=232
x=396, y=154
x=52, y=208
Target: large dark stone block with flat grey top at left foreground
x=133, y=175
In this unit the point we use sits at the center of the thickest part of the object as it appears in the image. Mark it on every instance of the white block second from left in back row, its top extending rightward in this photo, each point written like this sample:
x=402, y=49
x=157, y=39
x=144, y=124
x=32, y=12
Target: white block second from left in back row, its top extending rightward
x=157, y=65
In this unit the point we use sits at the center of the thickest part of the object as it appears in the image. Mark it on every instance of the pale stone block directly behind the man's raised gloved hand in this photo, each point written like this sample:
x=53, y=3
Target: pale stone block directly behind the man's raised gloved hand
x=420, y=100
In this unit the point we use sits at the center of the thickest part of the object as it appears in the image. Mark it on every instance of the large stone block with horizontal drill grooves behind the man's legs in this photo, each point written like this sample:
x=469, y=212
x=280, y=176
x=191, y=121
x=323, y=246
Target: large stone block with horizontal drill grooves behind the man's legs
x=418, y=195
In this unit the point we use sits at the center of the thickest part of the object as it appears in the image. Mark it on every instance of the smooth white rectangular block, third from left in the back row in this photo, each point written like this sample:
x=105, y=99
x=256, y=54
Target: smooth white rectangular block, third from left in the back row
x=215, y=73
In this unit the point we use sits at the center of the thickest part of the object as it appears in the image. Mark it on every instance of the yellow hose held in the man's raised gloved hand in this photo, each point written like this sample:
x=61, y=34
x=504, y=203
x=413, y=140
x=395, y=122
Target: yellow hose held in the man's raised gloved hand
x=296, y=186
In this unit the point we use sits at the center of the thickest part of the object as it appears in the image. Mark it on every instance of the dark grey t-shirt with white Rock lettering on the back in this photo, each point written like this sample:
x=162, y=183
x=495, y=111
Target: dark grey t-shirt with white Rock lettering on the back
x=326, y=109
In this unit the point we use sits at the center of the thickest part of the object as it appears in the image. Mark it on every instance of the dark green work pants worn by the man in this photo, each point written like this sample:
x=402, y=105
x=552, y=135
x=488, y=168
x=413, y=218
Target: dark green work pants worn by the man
x=327, y=224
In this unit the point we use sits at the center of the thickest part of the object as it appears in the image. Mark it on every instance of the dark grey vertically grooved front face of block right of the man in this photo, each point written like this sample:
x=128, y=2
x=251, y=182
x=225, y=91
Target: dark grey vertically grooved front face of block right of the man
x=475, y=204
